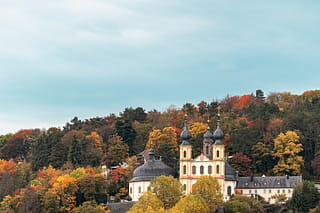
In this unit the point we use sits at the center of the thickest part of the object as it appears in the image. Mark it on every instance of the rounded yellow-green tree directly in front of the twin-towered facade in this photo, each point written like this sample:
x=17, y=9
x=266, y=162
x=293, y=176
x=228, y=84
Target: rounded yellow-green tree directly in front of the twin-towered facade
x=209, y=189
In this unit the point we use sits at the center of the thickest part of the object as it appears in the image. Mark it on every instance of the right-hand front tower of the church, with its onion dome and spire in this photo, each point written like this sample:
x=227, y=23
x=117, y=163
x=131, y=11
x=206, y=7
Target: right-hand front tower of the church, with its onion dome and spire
x=218, y=153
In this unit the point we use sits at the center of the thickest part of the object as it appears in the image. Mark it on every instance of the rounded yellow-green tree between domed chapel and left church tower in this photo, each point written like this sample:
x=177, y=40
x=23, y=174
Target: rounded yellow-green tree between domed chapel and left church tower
x=167, y=189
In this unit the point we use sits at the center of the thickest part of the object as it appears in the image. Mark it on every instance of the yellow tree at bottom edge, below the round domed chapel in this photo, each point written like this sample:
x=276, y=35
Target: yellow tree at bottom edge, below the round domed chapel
x=147, y=200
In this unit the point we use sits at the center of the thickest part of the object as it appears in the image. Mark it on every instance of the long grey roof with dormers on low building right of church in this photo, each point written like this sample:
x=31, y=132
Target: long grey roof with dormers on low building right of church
x=268, y=182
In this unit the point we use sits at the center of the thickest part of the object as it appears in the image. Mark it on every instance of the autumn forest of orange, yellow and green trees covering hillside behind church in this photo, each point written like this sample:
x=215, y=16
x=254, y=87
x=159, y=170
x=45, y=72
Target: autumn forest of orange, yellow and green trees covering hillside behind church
x=59, y=169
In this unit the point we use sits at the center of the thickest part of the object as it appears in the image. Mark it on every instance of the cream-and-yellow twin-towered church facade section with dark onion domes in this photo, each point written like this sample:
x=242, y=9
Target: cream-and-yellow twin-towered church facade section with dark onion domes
x=210, y=162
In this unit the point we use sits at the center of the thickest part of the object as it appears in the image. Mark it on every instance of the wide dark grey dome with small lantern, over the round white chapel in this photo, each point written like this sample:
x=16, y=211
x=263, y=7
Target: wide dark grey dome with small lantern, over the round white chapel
x=151, y=169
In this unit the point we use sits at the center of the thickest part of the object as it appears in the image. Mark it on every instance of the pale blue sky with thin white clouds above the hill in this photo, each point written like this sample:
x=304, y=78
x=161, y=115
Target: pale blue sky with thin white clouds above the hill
x=87, y=58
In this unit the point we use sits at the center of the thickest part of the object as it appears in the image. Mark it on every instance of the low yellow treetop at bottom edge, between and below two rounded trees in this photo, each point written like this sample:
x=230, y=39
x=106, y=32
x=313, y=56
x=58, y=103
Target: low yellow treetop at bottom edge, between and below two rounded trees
x=190, y=204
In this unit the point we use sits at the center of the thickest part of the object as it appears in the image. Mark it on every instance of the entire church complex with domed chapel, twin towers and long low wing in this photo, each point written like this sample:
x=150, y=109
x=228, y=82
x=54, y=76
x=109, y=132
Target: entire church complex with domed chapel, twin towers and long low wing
x=213, y=162
